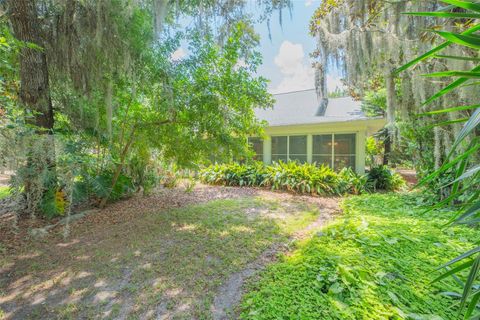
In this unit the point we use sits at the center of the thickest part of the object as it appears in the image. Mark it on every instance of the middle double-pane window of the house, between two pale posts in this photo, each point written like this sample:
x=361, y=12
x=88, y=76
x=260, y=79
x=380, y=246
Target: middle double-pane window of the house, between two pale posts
x=292, y=148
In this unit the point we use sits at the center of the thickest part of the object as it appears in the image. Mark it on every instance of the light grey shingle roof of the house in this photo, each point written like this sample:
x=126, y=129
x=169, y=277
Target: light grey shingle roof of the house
x=301, y=107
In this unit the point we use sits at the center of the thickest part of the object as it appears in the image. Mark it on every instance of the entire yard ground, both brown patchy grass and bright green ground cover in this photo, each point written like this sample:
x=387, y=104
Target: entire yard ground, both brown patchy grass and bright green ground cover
x=193, y=256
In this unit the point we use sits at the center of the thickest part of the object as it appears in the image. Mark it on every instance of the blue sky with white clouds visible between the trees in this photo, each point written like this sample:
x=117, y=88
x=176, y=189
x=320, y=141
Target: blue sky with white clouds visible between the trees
x=286, y=56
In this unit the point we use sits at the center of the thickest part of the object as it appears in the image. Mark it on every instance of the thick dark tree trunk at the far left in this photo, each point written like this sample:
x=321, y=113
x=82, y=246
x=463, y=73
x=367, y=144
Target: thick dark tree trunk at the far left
x=35, y=98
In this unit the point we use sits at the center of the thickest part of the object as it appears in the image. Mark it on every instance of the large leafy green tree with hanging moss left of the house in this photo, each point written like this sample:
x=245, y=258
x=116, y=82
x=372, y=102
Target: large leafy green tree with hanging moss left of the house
x=113, y=90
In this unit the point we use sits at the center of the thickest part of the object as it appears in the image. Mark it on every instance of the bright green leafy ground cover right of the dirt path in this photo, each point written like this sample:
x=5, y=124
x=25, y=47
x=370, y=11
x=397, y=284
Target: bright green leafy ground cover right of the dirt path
x=376, y=262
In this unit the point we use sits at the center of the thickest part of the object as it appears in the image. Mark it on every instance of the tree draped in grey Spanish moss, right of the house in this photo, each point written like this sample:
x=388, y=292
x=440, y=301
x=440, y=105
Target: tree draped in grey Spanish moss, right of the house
x=368, y=39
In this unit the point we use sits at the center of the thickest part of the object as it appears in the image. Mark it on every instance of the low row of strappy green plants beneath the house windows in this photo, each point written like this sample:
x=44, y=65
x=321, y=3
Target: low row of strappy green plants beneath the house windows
x=300, y=178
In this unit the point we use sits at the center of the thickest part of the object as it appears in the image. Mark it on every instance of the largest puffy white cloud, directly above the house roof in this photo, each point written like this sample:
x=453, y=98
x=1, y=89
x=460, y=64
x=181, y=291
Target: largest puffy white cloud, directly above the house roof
x=297, y=73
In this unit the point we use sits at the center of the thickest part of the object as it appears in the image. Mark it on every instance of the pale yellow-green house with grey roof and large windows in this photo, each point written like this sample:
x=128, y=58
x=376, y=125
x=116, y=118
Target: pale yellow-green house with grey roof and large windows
x=300, y=129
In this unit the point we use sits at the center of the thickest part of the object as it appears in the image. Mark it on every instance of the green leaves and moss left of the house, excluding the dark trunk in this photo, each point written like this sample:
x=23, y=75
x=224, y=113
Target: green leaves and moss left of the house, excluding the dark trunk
x=122, y=105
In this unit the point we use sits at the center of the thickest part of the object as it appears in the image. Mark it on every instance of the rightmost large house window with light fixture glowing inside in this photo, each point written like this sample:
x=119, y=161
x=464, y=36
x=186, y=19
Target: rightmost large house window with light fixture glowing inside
x=334, y=150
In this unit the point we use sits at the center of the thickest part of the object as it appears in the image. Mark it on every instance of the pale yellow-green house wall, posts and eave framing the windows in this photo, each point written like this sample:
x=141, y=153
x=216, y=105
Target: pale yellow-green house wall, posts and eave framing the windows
x=361, y=129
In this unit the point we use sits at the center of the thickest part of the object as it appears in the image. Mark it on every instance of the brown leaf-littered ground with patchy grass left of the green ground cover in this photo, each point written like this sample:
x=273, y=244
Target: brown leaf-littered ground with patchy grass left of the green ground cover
x=172, y=255
